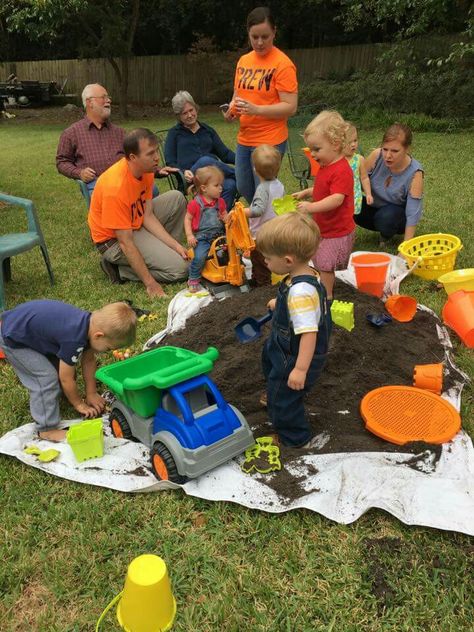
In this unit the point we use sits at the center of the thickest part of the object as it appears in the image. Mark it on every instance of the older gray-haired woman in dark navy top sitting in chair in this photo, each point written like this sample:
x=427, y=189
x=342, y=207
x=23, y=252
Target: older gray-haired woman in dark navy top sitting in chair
x=191, y=144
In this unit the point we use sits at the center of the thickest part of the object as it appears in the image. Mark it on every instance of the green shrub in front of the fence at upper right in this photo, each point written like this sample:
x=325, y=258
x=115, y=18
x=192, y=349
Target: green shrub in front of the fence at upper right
x=406, y=85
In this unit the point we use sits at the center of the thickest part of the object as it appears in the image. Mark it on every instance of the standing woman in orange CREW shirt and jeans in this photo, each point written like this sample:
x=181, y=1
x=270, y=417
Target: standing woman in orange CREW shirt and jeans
x=265, y=96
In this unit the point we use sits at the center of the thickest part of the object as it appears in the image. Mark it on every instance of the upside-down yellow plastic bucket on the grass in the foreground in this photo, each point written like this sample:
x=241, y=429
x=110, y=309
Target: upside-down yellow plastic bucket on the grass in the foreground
x=147, y=603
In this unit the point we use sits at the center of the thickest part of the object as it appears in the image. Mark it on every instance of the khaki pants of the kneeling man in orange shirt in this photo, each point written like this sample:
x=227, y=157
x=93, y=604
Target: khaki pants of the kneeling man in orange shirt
x=164, y=264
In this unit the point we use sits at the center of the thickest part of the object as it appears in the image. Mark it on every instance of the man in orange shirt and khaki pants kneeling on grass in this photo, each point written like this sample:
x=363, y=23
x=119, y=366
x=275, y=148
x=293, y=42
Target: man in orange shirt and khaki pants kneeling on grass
x=137, y=236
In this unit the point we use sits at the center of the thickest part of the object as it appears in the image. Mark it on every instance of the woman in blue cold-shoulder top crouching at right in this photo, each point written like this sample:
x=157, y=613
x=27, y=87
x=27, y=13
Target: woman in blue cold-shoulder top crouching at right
x=396, y=181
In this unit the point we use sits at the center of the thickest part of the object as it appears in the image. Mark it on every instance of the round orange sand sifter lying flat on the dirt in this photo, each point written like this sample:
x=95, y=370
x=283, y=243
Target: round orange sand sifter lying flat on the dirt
x=401, y=414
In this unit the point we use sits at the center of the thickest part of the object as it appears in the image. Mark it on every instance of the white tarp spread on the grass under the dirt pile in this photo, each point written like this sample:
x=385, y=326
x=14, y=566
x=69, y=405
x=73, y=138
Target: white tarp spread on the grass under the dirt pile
x=342, y=487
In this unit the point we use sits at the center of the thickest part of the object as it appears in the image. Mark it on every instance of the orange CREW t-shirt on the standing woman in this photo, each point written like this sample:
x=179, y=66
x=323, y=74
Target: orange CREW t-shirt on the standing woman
x=259, y=80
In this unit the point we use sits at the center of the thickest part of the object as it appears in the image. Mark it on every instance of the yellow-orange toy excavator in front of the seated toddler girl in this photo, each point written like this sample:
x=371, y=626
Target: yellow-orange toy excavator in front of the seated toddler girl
x=224, y=262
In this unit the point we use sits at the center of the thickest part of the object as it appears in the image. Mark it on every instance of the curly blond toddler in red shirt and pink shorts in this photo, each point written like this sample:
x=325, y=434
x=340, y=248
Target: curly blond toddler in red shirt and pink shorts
x=333, y=195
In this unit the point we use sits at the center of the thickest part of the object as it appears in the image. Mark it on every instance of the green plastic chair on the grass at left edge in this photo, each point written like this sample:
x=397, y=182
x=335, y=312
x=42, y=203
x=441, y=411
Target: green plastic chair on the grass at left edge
x=13, y=244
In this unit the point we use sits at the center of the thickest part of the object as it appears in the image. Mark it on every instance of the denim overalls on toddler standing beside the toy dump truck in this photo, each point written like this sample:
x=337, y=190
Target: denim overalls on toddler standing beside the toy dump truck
x=285, y=405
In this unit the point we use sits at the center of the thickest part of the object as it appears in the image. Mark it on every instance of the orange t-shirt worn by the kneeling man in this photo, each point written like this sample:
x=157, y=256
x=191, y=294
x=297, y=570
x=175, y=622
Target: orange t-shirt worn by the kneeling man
x=118, y=201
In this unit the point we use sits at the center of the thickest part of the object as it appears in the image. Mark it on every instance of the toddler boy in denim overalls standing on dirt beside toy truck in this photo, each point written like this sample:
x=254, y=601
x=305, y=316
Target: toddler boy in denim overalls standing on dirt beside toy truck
x=295, y=352
